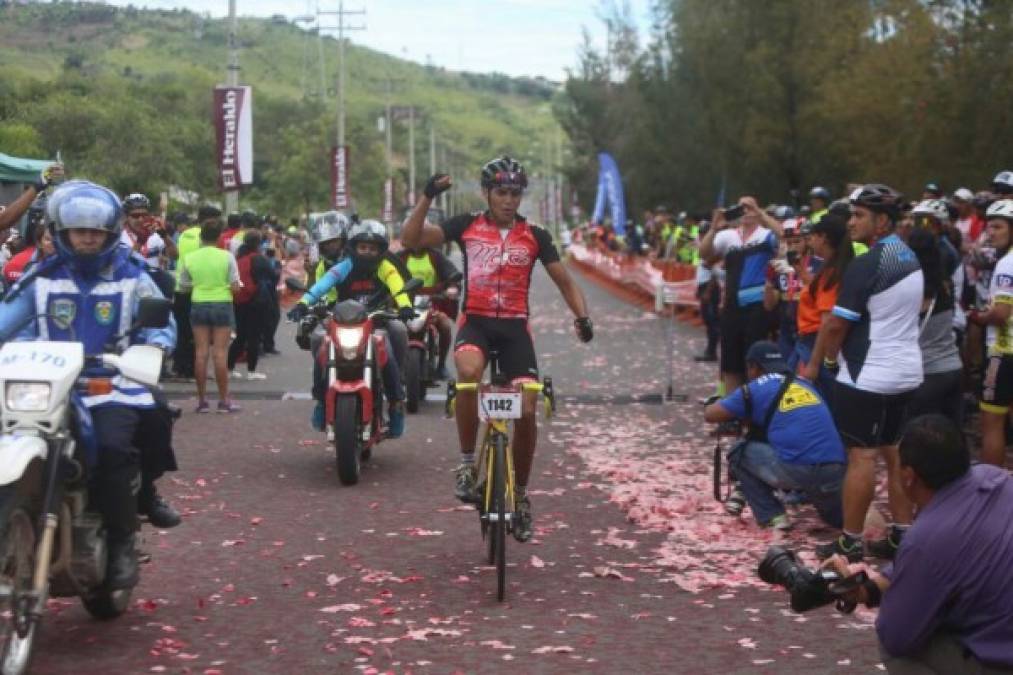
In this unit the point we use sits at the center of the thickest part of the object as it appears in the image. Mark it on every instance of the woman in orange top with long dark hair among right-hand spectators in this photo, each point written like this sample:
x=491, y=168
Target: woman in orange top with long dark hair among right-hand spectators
x=829, y=241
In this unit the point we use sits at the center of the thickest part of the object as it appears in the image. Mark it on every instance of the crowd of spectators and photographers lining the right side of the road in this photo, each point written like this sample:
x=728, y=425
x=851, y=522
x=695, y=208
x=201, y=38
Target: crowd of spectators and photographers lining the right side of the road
x=869, y=328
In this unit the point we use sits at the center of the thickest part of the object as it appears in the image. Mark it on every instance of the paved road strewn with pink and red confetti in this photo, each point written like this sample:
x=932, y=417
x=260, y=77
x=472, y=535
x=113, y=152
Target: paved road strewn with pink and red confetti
x=277, y=569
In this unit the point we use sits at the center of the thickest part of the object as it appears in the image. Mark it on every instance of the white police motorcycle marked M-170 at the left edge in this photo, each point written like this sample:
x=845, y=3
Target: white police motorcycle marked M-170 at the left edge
x=51, y=546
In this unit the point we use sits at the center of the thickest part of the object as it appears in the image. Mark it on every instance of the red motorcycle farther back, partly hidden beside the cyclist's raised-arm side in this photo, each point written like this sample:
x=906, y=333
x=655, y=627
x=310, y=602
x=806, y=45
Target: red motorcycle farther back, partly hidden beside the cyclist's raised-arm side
x=424, y=346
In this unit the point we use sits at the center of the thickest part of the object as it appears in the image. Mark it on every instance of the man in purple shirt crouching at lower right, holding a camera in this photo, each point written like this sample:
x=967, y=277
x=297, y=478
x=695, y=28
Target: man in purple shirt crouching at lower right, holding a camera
x=948, y=599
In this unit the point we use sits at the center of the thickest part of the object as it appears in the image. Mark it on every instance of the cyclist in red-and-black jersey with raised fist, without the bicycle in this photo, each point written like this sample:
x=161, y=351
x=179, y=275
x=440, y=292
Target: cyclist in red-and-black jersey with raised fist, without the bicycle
x=500, y=249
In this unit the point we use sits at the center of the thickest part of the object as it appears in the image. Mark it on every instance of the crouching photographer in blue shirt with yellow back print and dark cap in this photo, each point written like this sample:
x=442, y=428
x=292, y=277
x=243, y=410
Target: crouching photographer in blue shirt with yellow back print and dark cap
x=793, y=444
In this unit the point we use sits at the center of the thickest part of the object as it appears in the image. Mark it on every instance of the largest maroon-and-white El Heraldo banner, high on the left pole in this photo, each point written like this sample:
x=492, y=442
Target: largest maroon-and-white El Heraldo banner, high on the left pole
x=235, y=136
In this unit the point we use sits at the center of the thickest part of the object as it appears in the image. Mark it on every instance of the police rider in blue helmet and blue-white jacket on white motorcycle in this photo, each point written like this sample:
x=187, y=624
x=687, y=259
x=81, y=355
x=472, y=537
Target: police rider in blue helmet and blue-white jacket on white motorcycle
x=89, y=292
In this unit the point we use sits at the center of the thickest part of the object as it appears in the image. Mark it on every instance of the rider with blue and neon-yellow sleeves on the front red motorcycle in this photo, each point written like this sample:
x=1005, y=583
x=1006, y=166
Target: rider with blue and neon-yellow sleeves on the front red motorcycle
x=360, y=275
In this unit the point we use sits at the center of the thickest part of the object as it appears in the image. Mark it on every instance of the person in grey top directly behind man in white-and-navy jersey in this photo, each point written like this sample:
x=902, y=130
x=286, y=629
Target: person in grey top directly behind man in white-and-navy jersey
x=941, y=392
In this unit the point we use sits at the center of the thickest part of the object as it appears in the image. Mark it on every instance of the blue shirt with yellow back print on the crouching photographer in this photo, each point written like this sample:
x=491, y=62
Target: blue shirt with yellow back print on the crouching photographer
x=802, y=430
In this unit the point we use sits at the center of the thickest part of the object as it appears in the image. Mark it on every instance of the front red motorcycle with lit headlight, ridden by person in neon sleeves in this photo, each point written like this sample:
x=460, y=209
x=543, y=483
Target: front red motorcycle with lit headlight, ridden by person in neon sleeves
x=353, y=355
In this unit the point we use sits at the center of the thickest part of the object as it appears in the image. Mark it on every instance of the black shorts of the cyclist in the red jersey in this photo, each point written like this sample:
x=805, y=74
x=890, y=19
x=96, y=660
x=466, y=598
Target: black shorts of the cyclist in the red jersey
x=511, y=339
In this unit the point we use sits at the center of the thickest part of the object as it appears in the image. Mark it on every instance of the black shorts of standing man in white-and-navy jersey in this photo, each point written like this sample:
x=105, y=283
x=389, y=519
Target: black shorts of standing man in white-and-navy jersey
x=868, y=419
